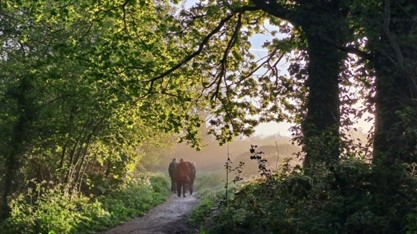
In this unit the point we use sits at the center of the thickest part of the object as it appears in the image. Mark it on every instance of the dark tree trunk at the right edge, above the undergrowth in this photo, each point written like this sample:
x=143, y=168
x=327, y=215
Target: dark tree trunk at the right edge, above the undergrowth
x=396, y=90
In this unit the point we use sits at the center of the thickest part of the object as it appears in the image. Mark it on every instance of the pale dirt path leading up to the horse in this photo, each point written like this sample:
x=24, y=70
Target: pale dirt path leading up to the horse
x=167, y=218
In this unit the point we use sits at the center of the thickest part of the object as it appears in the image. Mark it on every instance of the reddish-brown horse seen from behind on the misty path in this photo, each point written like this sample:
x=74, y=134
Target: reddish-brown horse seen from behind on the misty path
x=184, y=176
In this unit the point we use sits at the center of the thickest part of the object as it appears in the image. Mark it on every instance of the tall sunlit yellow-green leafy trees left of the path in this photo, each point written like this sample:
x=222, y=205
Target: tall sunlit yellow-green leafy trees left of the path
x=77, y=91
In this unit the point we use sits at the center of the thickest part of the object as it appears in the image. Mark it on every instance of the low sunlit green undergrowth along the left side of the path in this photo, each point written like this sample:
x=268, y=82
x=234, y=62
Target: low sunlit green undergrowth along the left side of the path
x=52, y=208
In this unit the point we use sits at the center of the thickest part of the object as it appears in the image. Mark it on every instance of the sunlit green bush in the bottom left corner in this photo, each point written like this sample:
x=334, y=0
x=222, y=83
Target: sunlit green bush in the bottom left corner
x=51, y=209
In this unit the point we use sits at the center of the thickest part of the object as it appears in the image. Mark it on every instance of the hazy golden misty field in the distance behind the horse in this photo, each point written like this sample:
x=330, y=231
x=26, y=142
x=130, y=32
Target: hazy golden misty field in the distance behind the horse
x=210, y=161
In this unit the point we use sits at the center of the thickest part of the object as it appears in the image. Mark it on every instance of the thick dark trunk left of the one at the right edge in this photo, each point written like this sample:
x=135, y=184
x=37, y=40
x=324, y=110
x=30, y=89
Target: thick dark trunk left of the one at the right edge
x=325, y=31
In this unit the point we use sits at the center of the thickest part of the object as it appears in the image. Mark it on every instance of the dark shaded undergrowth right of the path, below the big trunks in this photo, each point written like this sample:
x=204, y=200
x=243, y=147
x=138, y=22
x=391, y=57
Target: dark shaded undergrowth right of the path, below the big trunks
x=343, y=199
